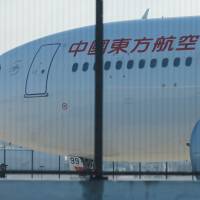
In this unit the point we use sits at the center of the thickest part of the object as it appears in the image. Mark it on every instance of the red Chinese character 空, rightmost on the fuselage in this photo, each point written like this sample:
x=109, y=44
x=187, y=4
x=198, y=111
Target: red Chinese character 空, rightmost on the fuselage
x=187, y=42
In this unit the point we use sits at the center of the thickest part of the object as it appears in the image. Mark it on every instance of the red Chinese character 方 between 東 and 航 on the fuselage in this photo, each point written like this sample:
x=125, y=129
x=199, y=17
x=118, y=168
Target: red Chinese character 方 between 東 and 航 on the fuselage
x=142, y=45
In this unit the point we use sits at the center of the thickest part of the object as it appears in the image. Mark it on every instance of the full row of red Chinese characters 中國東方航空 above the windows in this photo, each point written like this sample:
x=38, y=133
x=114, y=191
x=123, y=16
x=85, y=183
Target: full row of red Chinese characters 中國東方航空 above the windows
x=142, y=45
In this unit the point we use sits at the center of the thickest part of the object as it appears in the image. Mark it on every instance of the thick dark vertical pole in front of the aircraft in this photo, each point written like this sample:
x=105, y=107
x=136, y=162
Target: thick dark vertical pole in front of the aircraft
x=98, y=157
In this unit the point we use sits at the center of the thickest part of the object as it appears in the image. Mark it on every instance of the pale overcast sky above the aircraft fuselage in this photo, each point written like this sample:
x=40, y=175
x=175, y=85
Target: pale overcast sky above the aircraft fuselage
x=25, y=20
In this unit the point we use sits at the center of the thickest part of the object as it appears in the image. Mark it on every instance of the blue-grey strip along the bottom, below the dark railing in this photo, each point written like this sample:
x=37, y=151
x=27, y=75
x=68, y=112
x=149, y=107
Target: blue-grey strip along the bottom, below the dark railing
x=99, y=190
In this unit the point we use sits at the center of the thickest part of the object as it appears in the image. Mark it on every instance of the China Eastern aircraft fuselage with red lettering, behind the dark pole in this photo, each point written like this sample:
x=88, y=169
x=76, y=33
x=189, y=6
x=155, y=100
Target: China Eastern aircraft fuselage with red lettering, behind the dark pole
x=151, y=90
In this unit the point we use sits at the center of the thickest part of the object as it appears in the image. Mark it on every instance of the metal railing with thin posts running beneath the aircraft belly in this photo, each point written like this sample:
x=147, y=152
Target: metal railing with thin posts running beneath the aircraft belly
x=29, y=162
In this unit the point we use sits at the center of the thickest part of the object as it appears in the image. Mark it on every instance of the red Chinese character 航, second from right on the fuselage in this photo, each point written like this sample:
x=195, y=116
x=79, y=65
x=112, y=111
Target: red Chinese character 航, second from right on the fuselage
x=164, y=43
